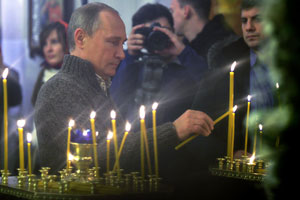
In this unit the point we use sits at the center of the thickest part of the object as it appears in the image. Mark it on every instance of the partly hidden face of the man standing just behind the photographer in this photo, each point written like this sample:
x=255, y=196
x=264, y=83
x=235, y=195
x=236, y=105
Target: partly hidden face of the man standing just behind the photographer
x=178, y=17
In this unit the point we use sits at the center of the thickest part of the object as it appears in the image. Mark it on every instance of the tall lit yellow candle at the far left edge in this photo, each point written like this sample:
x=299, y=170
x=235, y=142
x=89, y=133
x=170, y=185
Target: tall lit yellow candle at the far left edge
x=5, y=119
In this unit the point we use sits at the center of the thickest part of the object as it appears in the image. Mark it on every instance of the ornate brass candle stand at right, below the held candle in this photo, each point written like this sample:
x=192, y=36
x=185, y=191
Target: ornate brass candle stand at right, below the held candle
x=240, y=168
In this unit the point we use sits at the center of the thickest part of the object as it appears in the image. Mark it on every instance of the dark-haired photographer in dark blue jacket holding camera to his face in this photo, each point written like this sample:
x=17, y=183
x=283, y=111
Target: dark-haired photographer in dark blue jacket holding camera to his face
x=157, y=67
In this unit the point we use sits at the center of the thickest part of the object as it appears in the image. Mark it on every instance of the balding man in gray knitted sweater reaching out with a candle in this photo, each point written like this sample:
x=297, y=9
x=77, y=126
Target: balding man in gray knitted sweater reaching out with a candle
x=96, y=35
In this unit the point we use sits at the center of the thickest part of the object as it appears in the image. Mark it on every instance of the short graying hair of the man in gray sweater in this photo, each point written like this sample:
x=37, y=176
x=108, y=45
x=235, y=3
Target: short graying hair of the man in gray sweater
x=87, y=18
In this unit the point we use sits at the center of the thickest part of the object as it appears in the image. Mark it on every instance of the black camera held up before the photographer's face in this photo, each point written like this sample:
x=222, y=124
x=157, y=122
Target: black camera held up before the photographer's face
x=154, y=40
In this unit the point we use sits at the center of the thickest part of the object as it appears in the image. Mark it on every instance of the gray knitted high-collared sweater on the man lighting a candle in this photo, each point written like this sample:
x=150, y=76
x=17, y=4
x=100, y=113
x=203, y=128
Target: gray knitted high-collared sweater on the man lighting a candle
x=72, y=94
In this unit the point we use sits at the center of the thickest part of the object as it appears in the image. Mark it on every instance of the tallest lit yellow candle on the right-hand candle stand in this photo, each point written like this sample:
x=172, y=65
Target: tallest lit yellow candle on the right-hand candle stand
x=231, y=98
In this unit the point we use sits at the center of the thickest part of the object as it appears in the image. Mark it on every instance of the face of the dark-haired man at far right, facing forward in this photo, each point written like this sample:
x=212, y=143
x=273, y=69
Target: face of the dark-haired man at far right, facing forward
x=251, y=27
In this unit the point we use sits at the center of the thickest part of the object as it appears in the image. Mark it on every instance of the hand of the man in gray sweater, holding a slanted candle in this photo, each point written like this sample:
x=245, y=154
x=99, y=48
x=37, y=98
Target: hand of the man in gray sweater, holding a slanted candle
x=193, y=121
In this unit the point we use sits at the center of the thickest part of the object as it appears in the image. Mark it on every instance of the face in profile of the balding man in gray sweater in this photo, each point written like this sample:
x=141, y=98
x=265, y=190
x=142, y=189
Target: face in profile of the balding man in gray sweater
x=104, y=49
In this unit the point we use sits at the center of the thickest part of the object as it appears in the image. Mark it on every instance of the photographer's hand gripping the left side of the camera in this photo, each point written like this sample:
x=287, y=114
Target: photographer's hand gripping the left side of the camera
x=135, y=41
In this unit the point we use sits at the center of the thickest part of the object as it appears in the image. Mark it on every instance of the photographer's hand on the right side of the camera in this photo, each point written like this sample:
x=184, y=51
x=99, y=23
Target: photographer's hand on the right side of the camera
x=177, y=46
